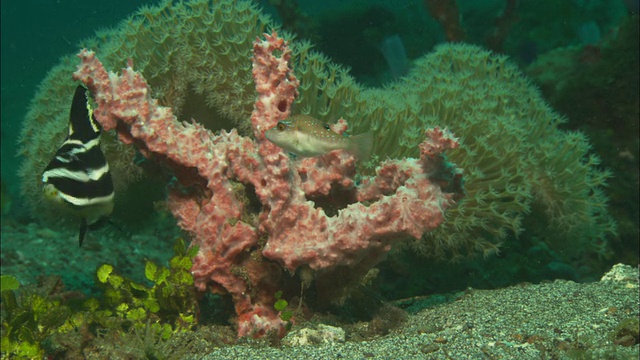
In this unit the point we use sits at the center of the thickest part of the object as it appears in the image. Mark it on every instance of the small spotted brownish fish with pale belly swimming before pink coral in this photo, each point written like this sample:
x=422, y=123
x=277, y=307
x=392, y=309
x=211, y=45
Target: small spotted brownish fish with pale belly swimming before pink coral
x=305, y=135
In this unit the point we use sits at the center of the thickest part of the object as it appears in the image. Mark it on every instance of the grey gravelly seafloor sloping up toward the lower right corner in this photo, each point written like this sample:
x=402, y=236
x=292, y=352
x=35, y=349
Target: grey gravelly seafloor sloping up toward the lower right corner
x=556, y=320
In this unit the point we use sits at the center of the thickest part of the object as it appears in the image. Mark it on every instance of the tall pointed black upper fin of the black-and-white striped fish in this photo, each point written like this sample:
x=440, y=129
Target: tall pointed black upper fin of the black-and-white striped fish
x=83, y=127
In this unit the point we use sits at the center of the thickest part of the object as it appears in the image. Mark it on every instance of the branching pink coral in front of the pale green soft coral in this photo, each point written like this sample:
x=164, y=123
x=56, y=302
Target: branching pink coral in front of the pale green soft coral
x=256, y=214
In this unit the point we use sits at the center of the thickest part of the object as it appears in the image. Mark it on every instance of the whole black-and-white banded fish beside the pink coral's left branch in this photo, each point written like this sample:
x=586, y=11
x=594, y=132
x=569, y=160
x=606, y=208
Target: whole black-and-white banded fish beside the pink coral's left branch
x=78, y=176
